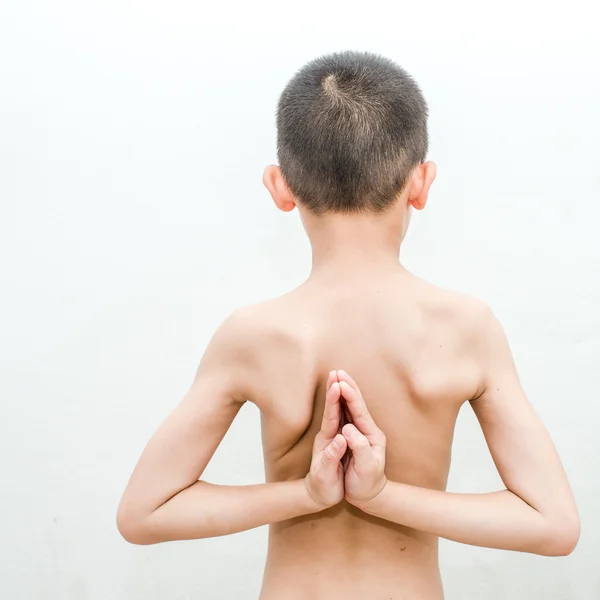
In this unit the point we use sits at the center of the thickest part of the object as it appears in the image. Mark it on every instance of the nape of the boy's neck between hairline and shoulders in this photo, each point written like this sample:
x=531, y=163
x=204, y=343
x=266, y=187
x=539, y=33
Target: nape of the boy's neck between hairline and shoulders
x=354, y=244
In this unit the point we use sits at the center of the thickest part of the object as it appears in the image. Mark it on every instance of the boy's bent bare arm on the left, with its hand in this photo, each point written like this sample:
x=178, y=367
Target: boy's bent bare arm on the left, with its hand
x=164, y=499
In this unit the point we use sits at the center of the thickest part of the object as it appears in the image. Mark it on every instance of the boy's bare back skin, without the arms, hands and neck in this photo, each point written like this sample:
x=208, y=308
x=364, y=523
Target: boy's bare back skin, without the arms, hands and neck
x=404, y=342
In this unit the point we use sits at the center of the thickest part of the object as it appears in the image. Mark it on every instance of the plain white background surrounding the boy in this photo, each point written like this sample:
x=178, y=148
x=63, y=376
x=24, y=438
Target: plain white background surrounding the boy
x=133, y=136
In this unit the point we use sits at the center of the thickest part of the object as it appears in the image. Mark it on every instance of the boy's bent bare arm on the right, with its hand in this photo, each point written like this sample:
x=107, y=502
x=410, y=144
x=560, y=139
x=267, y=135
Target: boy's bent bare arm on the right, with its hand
x=535, y=513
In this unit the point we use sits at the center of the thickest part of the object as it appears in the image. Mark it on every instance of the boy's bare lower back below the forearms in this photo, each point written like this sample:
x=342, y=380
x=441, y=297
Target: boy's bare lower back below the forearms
x=343, y=553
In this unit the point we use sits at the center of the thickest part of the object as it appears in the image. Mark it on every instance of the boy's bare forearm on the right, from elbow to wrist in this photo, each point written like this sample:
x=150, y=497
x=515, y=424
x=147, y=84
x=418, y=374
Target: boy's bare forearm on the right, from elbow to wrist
x=496, y=520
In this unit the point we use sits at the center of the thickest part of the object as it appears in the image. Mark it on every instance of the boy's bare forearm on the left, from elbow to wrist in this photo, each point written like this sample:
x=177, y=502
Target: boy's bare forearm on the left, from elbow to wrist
x=205, y=510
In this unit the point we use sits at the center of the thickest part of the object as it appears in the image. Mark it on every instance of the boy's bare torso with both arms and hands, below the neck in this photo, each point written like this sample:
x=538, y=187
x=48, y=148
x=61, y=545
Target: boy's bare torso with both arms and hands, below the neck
x=416, y=353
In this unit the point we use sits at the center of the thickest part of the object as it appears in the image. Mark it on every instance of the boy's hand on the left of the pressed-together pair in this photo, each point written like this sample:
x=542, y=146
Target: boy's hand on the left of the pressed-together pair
x=325, y=481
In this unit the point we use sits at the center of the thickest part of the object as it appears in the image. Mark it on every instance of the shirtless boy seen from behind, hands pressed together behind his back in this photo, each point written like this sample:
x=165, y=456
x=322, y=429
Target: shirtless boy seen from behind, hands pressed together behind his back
x=353, y=516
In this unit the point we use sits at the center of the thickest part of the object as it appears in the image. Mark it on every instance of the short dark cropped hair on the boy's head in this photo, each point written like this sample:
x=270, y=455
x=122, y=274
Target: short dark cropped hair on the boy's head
x=351, y=126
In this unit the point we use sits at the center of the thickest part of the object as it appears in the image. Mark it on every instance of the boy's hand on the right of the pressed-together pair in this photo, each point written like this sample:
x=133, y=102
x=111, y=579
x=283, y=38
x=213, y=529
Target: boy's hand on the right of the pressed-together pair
x=365, y=476
